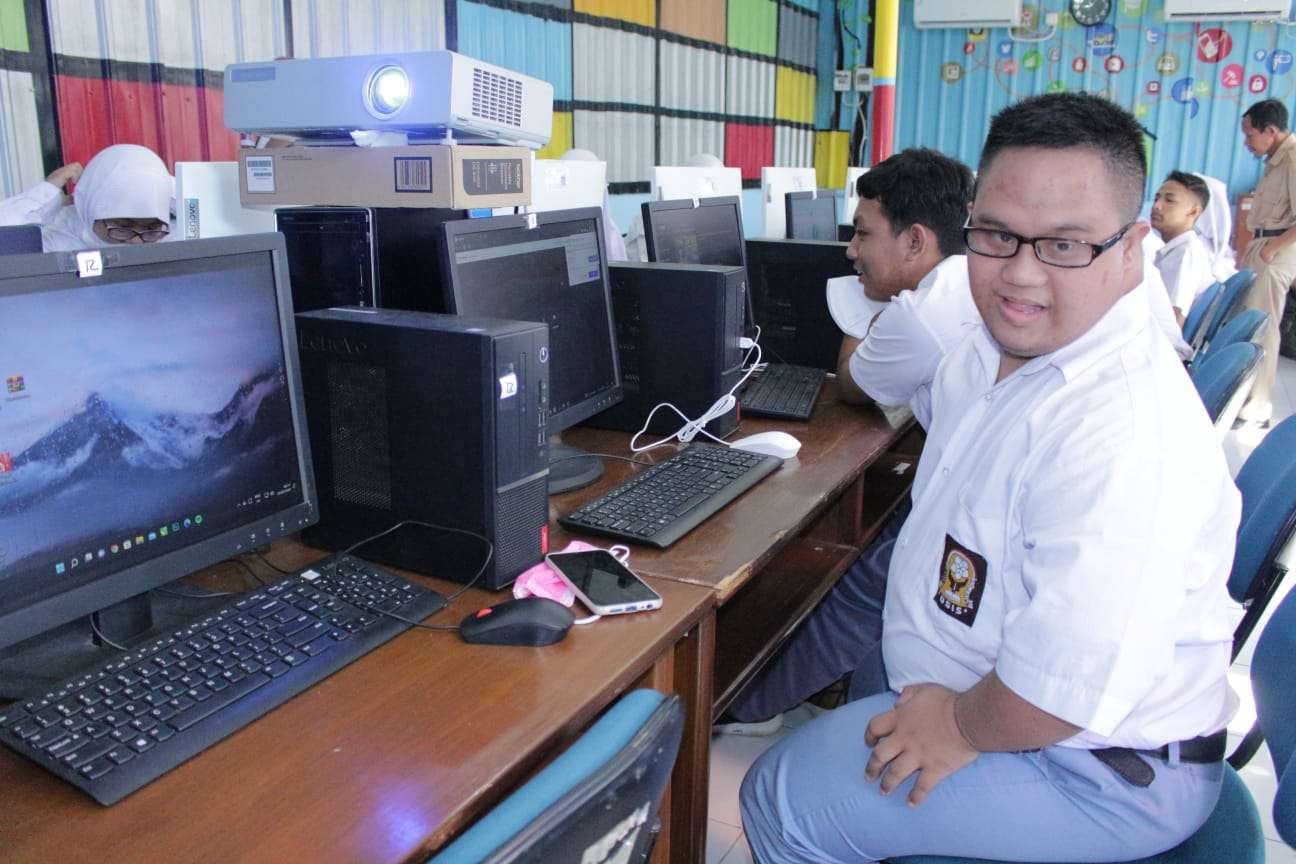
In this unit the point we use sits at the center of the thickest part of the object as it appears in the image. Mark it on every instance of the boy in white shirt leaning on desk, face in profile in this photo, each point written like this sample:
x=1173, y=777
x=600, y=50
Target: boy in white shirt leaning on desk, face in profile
x=908, y=251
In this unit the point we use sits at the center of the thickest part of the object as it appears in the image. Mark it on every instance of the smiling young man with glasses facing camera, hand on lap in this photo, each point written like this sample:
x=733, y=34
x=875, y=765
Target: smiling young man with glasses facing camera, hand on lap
x=1057, y=626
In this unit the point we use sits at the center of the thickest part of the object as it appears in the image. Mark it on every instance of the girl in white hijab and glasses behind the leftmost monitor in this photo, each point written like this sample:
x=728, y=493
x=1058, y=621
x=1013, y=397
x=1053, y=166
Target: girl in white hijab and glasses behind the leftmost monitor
x=124, y=198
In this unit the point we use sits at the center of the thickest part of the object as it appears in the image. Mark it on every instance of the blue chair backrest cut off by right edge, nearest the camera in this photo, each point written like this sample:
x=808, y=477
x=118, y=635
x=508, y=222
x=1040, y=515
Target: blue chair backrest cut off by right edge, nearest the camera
x=1273, y=681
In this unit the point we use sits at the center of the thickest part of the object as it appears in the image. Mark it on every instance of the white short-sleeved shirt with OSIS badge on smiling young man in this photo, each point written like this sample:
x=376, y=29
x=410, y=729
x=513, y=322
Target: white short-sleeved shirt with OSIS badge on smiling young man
x=1074, y=529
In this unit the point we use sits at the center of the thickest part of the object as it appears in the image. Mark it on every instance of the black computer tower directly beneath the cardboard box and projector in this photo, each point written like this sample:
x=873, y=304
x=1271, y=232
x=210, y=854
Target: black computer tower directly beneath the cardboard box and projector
x=376, y=257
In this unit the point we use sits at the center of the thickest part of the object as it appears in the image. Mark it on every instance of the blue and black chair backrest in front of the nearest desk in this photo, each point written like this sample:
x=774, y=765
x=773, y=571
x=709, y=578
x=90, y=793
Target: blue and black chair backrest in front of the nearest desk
x=603, y=792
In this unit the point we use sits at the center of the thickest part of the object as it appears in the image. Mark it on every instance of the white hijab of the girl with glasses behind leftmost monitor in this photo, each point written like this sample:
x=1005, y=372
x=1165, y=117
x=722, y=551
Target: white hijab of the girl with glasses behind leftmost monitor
x=122, y=182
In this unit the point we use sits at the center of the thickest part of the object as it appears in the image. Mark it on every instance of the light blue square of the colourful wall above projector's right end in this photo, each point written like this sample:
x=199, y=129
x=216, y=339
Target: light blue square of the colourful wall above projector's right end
x=537, y=47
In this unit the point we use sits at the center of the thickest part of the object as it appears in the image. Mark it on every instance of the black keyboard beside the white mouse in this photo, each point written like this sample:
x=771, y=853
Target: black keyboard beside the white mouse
x=671, y=499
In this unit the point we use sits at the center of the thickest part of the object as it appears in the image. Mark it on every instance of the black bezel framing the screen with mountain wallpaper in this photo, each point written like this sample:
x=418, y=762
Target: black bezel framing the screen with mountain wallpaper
x=65, y=606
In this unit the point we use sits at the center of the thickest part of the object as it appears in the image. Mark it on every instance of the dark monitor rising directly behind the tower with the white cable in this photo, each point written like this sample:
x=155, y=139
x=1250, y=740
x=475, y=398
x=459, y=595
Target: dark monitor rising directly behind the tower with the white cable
x=706, y=231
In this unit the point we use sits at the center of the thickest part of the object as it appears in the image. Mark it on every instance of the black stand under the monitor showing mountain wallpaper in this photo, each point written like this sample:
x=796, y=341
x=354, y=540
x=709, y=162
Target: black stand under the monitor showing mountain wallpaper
x=38, y=664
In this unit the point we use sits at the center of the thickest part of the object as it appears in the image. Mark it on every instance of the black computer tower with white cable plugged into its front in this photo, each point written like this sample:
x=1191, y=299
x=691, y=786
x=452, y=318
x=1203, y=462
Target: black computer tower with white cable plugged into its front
x=678, y=331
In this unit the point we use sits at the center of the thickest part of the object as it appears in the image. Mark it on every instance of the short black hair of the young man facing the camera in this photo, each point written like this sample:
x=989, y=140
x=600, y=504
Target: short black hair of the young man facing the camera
x=1076, y=121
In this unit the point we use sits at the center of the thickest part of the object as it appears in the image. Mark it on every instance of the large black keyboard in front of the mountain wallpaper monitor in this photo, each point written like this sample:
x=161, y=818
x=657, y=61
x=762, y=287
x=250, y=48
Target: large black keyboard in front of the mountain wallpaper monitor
x=126, y=723
